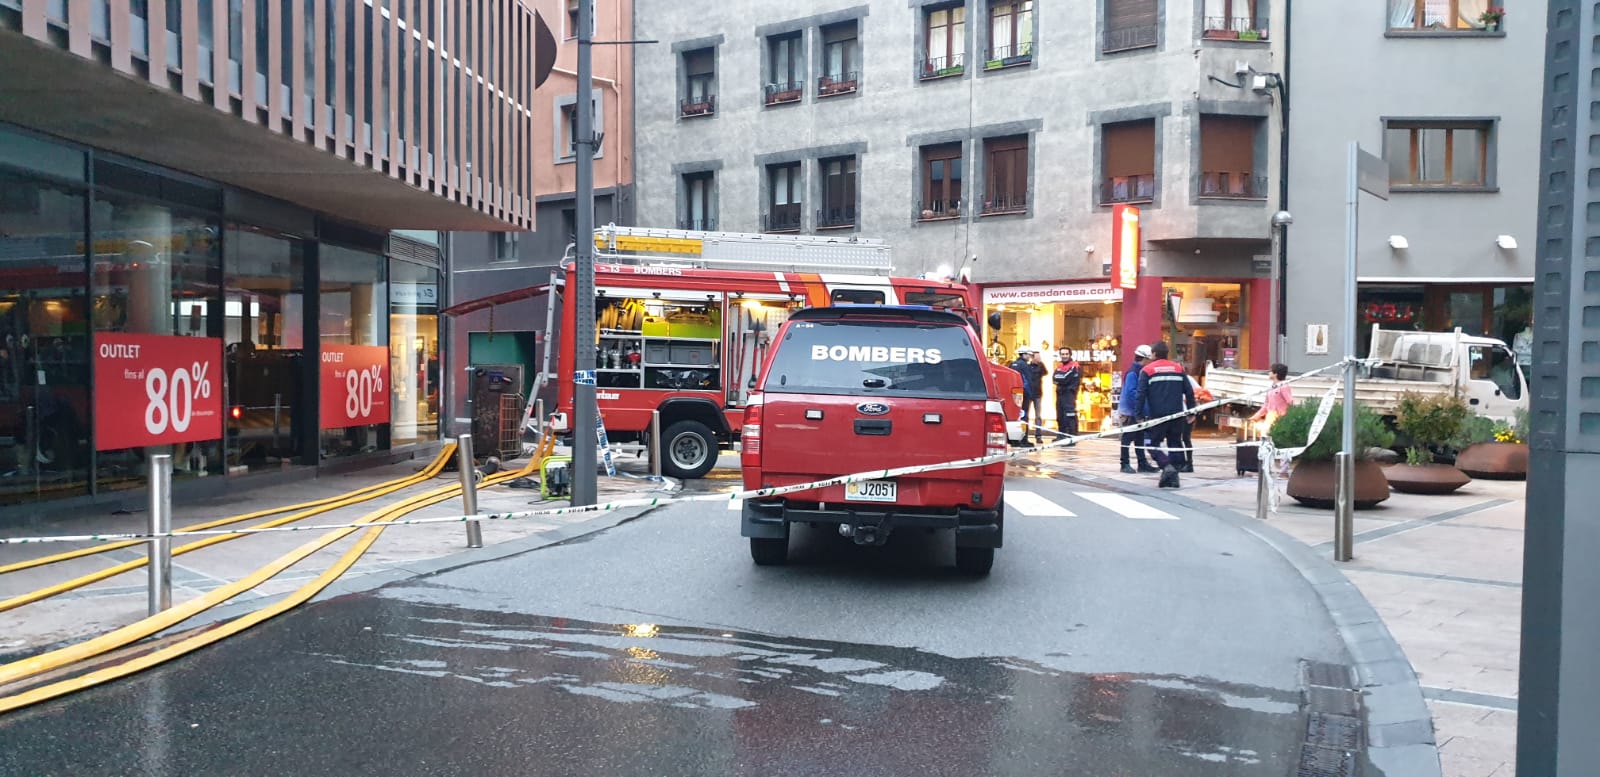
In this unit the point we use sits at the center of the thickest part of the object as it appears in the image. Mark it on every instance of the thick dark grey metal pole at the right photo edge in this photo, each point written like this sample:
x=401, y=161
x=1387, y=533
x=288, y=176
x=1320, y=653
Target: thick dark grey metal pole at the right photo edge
x=1559, y=688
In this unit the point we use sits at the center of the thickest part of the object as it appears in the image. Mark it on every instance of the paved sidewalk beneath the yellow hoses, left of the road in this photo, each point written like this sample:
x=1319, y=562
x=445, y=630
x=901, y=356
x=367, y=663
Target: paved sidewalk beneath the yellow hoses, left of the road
x=122, y=600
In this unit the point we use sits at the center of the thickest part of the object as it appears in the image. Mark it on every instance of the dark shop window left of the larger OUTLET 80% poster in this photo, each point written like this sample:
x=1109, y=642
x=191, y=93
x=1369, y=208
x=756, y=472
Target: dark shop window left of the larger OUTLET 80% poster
x=44, y=343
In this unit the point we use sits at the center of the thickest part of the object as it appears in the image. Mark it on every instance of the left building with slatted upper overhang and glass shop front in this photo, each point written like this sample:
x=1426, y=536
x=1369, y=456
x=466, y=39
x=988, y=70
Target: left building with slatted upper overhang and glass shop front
x=217, y=183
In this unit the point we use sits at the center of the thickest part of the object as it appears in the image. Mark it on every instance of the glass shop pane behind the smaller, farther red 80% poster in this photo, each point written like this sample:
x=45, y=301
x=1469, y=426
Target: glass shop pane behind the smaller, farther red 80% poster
x=353, y=297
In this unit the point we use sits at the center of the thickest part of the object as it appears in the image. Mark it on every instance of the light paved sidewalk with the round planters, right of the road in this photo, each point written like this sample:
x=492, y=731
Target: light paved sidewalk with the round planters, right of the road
x=1444, y=573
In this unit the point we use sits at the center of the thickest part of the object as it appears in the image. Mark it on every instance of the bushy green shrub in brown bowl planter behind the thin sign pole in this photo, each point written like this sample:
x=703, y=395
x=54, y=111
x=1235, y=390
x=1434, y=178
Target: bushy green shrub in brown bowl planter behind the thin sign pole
x=1314, y=479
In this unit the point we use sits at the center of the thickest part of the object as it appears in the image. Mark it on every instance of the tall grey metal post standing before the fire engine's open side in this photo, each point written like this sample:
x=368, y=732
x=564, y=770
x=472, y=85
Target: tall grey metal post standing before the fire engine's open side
x=585, y=412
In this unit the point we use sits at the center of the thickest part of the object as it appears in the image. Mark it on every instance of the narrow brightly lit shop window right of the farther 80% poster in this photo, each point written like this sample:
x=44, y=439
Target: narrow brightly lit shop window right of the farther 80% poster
x=414, y=351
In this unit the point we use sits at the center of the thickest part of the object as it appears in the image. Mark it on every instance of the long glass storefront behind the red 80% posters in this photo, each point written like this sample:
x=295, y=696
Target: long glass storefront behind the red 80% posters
x=150, y=253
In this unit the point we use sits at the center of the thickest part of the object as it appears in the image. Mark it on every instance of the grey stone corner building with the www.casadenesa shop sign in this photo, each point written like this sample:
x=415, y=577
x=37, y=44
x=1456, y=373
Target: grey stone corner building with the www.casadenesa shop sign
x=990, y=138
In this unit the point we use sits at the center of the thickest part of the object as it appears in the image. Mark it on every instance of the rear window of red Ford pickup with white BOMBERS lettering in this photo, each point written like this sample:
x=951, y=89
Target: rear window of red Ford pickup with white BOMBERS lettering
x=878, y=357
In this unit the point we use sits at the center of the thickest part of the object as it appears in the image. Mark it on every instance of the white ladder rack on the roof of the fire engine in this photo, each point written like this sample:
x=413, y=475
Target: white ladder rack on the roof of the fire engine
x=742, y=250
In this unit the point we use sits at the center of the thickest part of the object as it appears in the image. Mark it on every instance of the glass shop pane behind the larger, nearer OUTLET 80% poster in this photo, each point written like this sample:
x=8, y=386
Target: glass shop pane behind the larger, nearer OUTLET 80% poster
x=158, y=273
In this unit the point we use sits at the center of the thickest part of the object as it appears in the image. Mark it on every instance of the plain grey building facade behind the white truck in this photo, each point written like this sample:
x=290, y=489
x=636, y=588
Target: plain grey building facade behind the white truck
x=1447, y=92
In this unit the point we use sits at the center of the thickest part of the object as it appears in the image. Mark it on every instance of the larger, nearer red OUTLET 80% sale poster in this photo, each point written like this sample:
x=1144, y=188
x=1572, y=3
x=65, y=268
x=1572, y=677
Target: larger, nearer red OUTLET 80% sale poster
x=156, y=389
